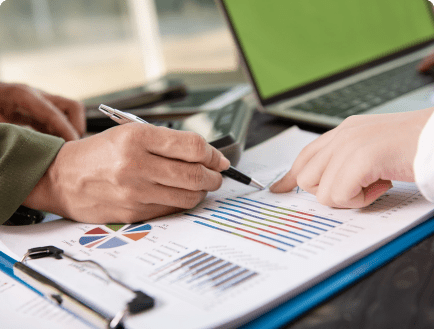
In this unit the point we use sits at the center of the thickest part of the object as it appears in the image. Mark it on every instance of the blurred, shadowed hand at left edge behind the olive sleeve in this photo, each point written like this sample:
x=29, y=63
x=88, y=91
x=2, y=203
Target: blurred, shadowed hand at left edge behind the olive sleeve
x=56, y=115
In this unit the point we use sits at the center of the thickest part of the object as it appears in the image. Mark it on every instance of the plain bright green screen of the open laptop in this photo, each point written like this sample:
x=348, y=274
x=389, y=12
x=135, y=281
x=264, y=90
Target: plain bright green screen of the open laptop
x=292, y=43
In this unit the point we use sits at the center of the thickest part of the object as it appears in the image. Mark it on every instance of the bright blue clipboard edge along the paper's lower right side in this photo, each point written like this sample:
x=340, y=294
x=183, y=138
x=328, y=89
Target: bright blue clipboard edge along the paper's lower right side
x=312, y=297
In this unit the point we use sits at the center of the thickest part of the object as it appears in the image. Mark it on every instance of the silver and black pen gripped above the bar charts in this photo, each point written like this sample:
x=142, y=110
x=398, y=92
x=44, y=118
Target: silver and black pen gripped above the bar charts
x=123, y=117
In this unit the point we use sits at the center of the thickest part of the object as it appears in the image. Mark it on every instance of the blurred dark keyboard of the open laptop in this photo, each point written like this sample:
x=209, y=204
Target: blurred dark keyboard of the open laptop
x=366, y=94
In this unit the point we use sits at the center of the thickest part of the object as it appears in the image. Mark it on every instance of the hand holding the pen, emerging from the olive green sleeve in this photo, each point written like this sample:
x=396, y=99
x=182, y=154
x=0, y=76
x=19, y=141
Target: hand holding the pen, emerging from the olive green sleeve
x=129, y=173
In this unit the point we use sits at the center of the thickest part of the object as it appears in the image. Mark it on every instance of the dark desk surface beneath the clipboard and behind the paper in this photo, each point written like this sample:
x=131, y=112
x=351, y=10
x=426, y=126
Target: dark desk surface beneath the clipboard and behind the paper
x=399, y=295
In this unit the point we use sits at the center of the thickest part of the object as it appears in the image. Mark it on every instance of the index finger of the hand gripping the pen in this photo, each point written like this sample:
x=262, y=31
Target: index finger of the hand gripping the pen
x=185, y=146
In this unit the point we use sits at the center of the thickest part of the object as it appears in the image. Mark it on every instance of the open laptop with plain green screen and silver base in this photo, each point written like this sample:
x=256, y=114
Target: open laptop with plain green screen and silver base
x=319, y=62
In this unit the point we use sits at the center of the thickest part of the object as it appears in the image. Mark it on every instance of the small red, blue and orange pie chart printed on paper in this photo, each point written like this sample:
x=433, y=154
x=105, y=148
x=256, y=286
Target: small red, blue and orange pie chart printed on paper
x=114, y=235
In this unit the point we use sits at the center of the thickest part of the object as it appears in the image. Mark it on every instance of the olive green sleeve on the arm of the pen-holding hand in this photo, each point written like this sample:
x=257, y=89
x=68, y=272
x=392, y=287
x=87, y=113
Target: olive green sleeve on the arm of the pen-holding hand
x=25, y=155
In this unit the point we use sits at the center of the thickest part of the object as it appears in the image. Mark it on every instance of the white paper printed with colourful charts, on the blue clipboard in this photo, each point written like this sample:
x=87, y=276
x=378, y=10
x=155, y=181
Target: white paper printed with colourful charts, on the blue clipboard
x=235, y=255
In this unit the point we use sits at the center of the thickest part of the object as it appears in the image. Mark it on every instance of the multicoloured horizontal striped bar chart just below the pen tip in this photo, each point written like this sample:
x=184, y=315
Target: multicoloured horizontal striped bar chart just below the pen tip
x=278, y=227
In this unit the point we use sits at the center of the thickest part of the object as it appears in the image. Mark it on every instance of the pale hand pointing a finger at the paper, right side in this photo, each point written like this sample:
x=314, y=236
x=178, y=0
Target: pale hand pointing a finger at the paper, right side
x=354, y=164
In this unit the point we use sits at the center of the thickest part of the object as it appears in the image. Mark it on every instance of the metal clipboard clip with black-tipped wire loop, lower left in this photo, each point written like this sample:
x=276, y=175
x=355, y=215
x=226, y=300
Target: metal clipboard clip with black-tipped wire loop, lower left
x=69, y=300
